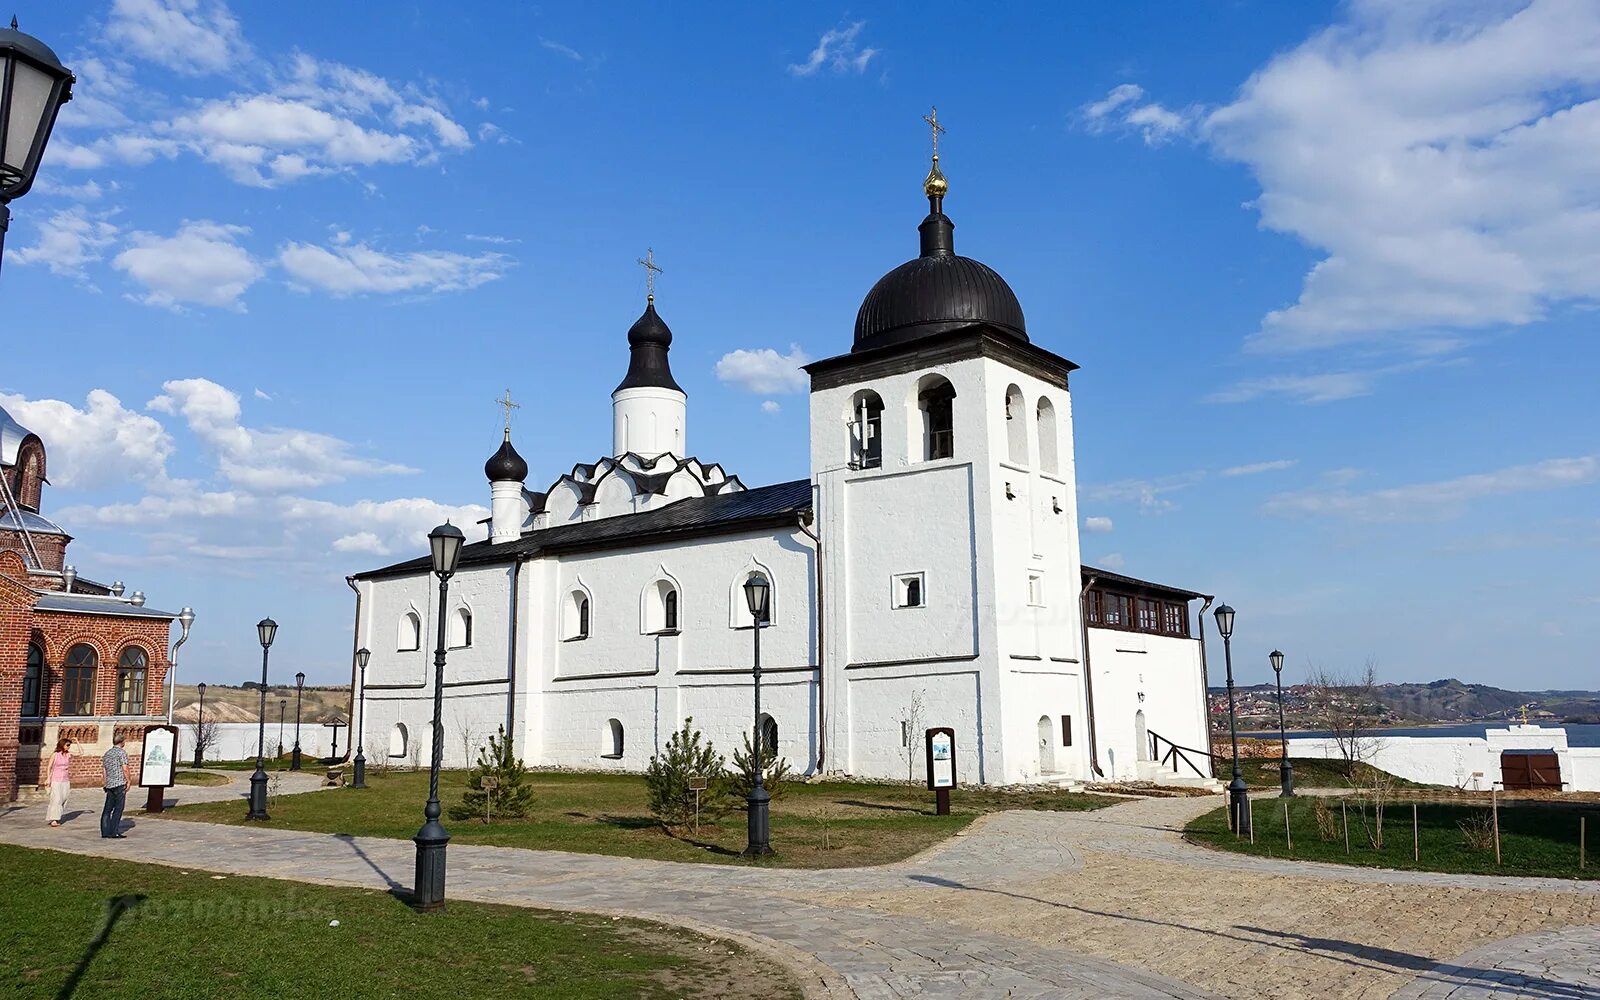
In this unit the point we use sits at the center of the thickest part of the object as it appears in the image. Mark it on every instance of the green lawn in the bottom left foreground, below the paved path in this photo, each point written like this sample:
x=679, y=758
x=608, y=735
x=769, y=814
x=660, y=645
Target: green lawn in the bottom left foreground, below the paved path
x=190, y=935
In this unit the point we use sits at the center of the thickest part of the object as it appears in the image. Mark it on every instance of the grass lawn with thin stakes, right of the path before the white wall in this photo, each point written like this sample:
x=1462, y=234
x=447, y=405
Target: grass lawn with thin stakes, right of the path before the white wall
x=1537, y=839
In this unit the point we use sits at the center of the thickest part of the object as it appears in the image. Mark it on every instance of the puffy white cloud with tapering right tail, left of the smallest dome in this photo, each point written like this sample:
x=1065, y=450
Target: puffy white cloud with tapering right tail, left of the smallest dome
x=265, y=462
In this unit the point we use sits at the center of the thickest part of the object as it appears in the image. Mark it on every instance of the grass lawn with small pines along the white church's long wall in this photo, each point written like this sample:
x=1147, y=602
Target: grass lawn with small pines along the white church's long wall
x=831, y=825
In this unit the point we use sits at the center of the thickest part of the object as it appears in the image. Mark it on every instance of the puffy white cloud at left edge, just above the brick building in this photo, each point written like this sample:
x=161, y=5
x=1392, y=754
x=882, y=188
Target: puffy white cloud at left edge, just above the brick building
x=105, y=444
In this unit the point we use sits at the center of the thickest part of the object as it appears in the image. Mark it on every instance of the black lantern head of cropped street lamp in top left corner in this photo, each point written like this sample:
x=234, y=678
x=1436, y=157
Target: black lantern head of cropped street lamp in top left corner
x=33, y=89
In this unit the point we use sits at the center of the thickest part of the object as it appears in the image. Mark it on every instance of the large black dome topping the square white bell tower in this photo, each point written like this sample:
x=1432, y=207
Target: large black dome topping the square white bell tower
x=935, y=294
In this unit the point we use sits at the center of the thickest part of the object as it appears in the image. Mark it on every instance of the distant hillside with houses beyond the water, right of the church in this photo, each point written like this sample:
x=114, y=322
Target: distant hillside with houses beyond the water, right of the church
x=1446, y=700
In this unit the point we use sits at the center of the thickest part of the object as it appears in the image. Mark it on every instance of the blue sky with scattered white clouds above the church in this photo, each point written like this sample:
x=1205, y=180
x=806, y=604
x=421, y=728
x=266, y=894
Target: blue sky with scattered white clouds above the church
x=1330, y=273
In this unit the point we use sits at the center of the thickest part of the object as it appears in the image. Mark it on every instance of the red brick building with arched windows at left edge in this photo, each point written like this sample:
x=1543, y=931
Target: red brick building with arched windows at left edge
x=78, y=658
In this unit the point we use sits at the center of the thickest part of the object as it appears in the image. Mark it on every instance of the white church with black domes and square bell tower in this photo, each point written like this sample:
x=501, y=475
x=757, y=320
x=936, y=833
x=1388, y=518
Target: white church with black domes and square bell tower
x=927, y=574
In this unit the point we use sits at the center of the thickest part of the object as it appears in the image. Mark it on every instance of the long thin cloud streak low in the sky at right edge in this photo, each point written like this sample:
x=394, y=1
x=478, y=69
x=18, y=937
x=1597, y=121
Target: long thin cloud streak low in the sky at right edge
x=1438, y=500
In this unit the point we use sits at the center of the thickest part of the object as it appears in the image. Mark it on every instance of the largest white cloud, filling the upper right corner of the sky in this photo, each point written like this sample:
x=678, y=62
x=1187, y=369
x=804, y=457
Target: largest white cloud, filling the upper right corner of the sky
x=1442, y=161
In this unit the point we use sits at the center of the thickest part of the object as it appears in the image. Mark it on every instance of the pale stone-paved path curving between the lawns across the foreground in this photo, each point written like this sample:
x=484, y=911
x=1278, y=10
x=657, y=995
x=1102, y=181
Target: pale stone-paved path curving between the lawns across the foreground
x=1023, y=905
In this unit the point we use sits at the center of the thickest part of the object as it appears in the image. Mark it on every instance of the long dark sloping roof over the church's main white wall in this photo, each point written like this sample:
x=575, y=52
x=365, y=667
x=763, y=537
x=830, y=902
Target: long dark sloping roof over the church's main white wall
x=692, y=518
